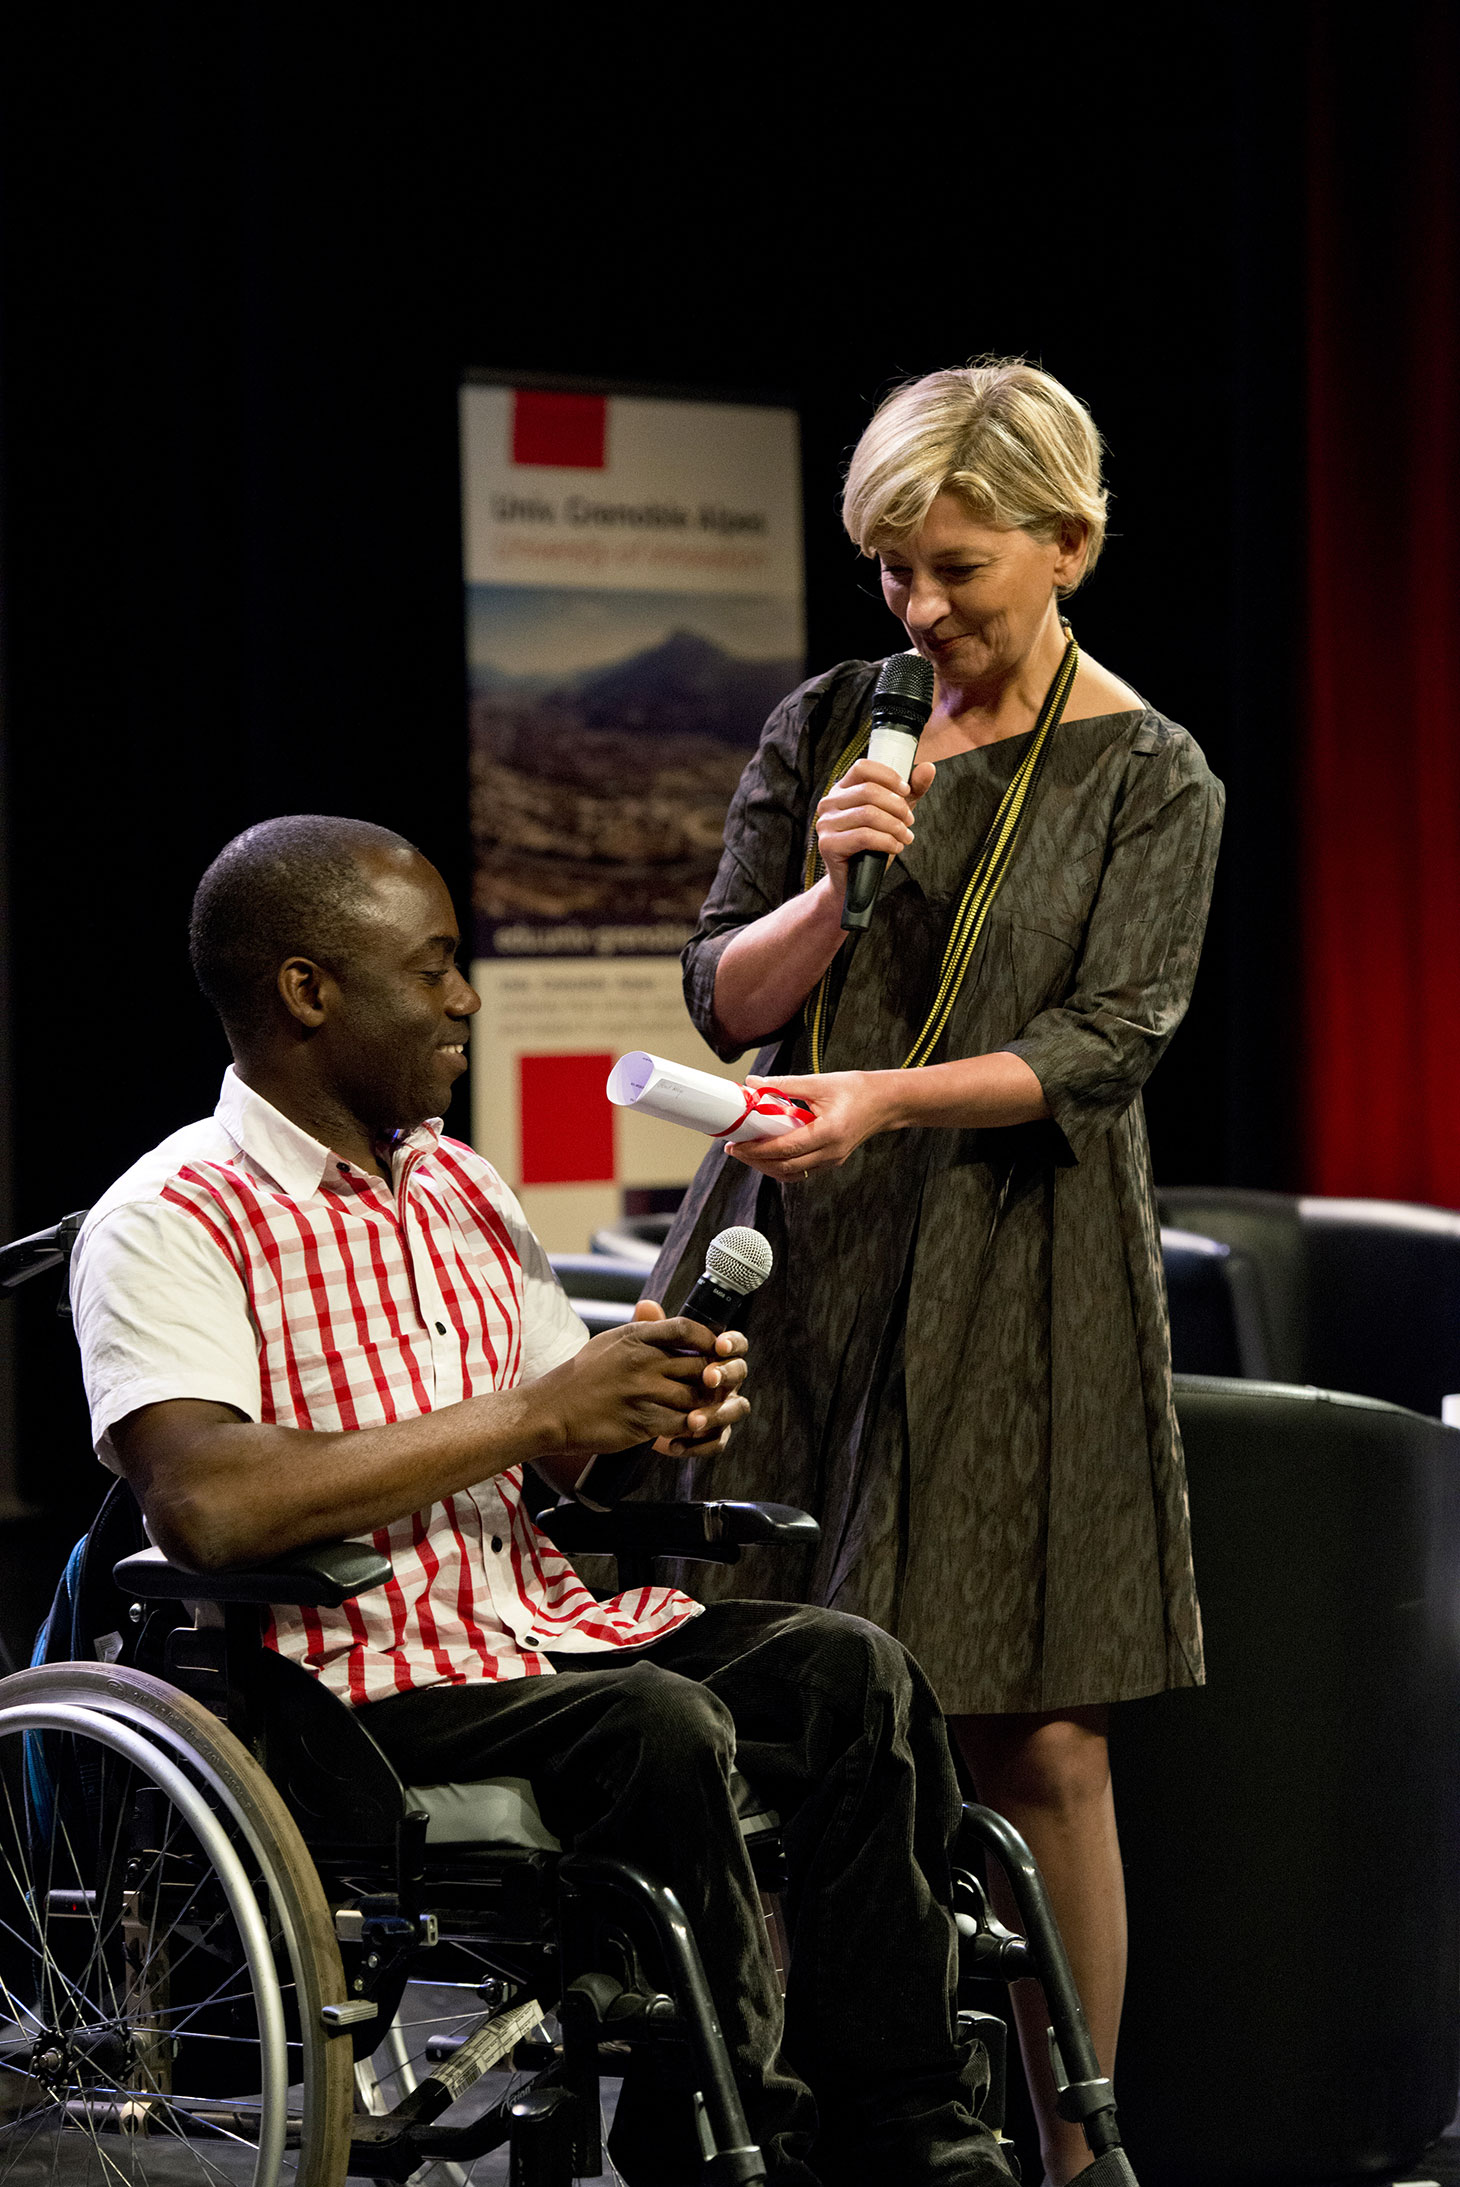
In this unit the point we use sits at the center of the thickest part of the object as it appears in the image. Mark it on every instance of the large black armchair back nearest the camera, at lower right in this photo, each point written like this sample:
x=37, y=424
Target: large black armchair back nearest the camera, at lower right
x=1293, y=1832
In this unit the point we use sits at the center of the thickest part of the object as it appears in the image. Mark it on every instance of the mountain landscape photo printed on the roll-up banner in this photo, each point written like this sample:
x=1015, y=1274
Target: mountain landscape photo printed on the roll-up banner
x=609, y=734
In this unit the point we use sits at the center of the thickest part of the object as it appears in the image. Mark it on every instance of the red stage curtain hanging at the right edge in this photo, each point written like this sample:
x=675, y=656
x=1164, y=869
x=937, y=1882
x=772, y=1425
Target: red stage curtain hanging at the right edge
x=1382, y=767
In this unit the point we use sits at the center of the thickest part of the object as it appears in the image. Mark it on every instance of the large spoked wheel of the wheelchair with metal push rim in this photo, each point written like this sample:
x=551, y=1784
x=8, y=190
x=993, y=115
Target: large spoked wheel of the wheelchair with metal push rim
x=276, y=1867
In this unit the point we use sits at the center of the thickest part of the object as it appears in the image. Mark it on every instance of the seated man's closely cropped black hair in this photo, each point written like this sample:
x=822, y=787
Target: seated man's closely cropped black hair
x=290, y=887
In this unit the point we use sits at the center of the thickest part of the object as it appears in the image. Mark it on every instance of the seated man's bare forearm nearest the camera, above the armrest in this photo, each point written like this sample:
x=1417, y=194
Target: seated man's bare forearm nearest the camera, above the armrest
x=224, y=1493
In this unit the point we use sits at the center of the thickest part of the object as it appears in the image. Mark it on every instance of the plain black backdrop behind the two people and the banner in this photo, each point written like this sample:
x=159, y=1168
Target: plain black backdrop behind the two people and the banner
x=244, y=264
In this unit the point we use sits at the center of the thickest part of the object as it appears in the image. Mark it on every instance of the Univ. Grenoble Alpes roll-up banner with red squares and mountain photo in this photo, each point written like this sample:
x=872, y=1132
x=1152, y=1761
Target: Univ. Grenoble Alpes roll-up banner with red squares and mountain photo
x=635, y=611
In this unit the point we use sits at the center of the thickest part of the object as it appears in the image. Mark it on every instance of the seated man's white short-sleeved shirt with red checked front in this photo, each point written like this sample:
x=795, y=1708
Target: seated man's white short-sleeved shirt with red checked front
x=246, y=1263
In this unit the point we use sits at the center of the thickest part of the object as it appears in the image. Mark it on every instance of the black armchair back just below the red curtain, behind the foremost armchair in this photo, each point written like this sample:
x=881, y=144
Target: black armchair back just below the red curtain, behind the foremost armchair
x=1358, y=1296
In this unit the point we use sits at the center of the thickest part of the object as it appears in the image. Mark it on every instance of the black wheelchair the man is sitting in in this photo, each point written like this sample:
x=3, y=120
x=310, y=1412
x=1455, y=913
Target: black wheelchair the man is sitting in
x=237, y=1948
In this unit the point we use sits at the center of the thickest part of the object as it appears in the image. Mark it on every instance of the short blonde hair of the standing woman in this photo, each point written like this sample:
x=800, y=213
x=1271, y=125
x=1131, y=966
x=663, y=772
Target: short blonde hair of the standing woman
x=1015, y=447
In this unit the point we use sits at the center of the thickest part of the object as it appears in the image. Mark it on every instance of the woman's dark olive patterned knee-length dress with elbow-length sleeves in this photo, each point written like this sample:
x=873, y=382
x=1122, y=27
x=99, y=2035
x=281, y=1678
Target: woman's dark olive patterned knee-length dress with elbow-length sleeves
x=963, y=1361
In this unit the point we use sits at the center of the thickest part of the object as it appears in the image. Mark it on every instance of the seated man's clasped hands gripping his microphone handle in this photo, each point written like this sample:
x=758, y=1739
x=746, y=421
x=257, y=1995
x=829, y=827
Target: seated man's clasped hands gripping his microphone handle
x=652, y=1381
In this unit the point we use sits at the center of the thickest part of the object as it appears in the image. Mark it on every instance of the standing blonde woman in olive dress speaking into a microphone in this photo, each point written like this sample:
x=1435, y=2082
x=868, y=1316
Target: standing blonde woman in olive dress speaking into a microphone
x=963, y=1361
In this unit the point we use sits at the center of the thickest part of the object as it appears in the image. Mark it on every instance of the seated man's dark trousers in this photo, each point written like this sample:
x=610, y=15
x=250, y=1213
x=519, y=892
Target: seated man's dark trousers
x=840, y=1733
